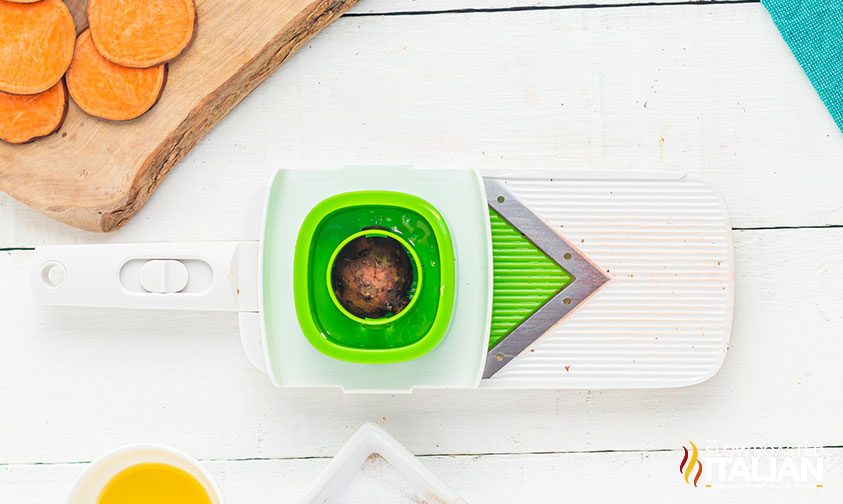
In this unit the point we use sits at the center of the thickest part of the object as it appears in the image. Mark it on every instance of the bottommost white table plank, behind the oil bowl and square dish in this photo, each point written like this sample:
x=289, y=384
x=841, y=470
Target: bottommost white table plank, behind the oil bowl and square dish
x=636, y=477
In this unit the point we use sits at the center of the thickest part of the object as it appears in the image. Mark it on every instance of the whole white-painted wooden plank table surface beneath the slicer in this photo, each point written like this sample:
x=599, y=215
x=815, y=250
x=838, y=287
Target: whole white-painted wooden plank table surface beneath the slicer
x=706, y=89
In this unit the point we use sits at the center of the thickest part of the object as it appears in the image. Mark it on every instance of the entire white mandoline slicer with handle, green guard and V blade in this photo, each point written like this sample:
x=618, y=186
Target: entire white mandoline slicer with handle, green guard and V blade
x=538, y=280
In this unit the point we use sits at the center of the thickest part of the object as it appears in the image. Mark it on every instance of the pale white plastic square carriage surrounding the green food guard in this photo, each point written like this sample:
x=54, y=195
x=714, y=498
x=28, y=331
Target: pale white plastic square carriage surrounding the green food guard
x=458, y=360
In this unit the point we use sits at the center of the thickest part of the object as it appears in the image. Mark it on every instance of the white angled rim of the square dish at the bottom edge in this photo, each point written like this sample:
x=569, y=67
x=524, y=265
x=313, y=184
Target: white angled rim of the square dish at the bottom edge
x=347, y=464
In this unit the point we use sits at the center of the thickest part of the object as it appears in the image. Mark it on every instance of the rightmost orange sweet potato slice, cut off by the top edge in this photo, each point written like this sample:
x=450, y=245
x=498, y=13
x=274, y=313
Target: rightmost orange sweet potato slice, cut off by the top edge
x=141, y=33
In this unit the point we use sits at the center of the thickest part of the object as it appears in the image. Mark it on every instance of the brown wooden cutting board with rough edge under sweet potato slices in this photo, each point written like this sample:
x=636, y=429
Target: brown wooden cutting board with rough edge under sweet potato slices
x=96, y=174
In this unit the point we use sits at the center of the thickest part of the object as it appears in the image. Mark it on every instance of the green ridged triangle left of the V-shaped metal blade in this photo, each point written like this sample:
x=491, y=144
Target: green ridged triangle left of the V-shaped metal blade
x=525, y=278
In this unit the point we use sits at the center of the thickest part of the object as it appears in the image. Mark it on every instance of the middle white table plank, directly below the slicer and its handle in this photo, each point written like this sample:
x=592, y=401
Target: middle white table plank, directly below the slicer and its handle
x=80, y=381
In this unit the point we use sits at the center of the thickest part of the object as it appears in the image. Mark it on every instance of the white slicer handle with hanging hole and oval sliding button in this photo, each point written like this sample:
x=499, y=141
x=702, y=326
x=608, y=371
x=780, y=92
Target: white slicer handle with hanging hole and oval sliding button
x=211, y=276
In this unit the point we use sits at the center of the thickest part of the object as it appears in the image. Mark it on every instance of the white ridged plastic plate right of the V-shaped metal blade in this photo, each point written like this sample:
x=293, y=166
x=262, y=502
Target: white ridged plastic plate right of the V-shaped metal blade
x=664, y=319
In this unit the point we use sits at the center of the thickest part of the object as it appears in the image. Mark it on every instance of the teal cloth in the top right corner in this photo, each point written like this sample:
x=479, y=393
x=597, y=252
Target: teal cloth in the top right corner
x=814, y=31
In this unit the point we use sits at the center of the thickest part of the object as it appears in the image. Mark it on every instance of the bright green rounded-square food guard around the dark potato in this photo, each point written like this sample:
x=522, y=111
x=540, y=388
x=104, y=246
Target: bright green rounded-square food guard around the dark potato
x=421, y=230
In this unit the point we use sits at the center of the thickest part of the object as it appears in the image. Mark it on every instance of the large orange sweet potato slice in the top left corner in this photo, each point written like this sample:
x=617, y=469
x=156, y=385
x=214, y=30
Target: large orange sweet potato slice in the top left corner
x=36, y=45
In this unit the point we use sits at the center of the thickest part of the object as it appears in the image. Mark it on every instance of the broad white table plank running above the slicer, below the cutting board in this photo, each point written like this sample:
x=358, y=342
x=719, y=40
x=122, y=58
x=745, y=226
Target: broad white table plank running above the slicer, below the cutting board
x=709, y=90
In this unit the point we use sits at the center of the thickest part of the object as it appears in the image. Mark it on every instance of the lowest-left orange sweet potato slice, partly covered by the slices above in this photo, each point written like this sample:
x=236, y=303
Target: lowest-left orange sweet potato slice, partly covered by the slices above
x=24, y=118
